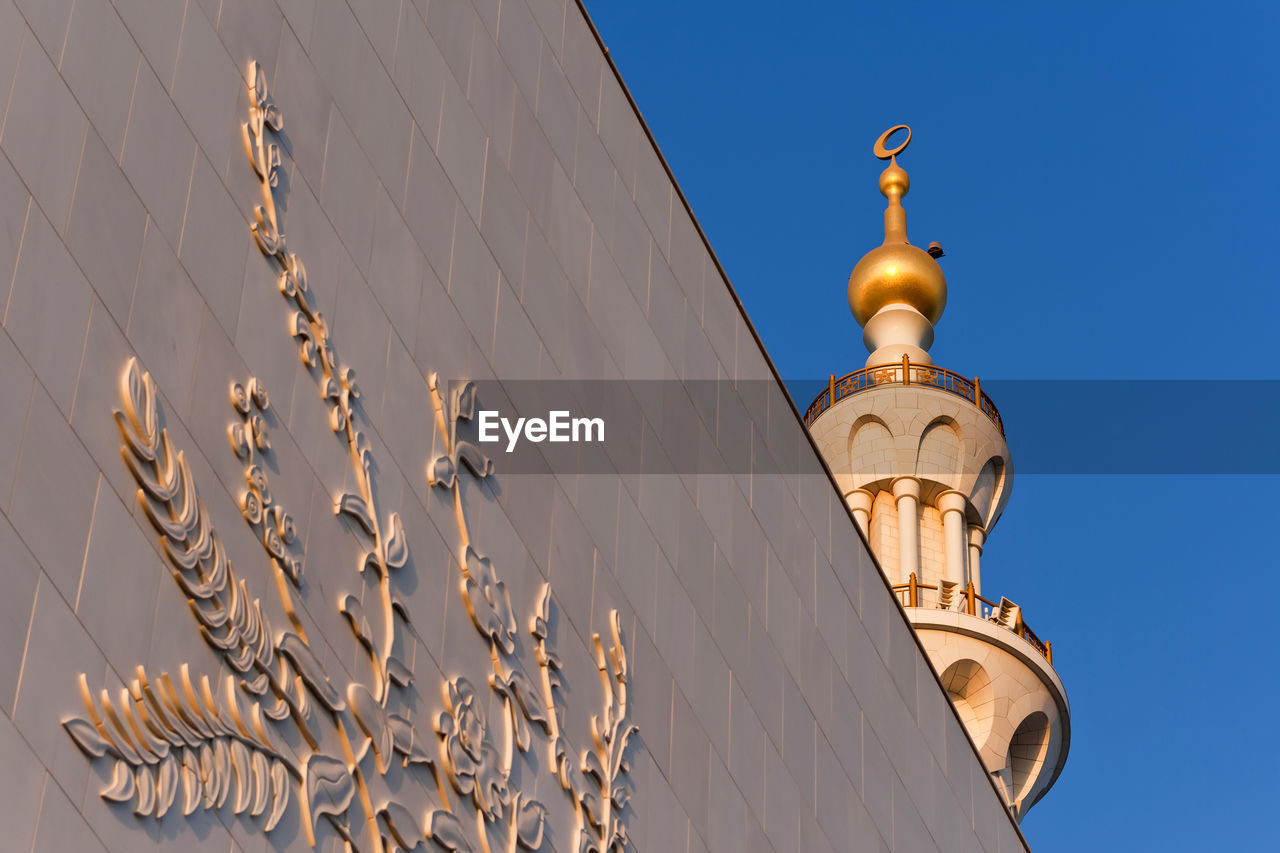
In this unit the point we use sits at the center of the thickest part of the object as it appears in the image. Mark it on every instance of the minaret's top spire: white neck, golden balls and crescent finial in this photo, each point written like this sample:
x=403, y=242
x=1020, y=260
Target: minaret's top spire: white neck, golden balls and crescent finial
x=897, y=291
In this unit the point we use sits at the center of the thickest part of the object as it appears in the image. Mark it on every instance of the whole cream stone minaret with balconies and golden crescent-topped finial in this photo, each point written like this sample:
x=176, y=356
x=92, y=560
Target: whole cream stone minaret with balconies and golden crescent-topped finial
x=921, y=457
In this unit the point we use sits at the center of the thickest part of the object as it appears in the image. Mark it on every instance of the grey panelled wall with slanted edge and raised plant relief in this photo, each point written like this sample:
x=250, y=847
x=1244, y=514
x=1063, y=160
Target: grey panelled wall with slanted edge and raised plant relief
x=237, y=596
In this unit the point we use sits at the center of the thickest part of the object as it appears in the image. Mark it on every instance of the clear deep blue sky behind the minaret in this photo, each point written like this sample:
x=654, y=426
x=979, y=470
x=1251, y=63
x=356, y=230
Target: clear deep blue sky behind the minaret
x=1104, y=180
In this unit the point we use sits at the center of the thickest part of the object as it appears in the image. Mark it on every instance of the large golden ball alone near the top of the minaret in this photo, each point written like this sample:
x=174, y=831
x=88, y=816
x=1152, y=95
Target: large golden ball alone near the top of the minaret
x=898, y=273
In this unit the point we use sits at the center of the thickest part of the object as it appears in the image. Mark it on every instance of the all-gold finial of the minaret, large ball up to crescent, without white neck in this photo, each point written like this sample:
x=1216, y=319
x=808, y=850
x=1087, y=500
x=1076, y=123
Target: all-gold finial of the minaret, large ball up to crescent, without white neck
x=897, y=271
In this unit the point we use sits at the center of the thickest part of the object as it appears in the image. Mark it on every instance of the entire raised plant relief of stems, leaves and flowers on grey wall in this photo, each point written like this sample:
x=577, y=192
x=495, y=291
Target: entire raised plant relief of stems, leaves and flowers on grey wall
x=282, y=726
